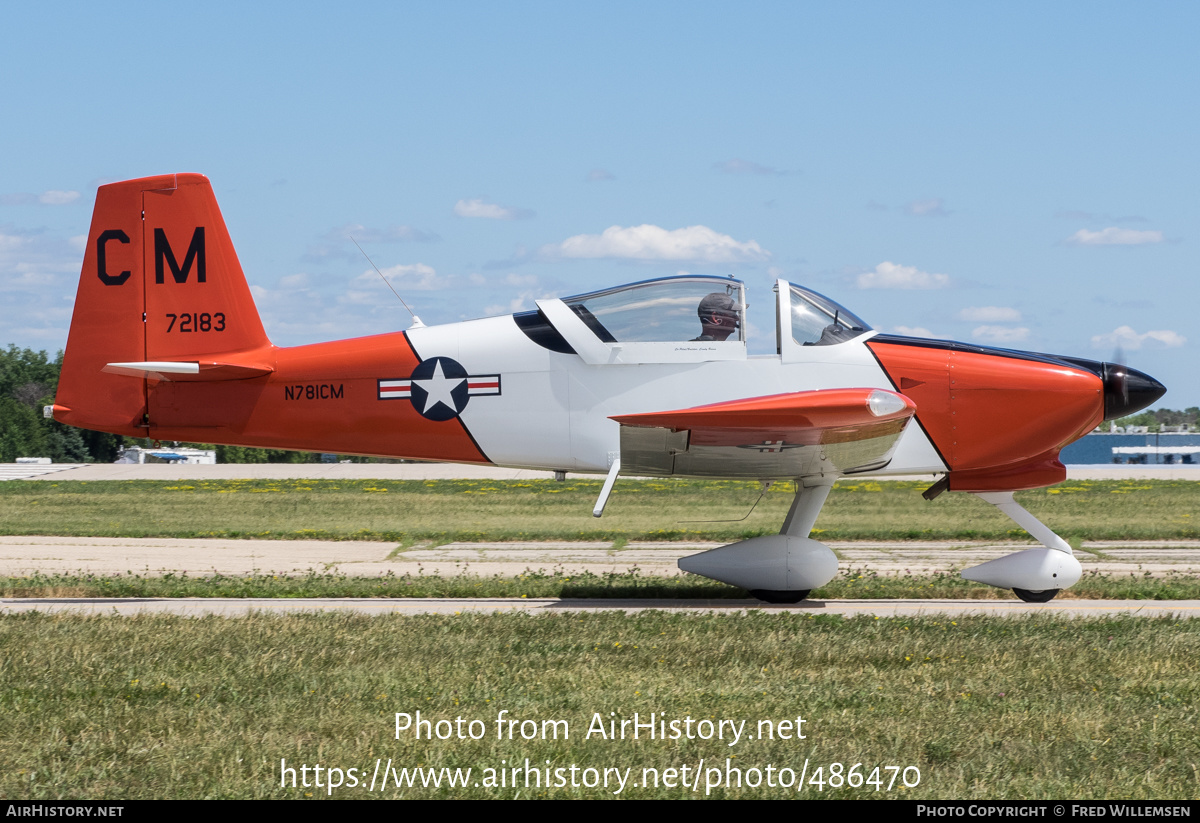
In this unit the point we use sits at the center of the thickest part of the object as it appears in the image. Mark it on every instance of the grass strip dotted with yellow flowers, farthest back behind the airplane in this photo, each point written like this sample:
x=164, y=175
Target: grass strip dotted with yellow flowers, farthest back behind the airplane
x=471, y=512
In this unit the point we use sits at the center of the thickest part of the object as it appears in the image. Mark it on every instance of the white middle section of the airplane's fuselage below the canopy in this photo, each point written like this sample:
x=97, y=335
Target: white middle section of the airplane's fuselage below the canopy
x=555, y=410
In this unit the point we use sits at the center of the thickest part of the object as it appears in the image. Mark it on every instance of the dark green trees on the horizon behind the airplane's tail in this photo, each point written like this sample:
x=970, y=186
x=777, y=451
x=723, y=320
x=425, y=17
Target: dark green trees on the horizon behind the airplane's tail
x=28, y=382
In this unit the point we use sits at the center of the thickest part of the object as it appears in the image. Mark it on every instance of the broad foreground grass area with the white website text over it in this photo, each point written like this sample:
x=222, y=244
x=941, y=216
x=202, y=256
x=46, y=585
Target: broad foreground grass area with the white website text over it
x=159, y=707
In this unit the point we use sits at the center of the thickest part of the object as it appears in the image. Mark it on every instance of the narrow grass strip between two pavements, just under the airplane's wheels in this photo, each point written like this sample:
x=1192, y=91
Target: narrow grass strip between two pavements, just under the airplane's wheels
x=851, y=584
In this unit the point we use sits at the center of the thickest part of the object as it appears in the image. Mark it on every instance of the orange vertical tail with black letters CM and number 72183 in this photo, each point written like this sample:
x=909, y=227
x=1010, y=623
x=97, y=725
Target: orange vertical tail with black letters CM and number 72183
x=161, y=297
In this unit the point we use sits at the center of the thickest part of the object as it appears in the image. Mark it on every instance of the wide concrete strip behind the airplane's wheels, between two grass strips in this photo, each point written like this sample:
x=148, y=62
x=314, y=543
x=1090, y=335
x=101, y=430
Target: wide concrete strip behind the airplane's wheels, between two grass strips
x=21, y=556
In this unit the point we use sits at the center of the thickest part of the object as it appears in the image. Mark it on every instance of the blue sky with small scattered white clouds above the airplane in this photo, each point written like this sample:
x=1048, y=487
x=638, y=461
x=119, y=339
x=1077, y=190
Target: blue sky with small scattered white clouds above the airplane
x=1019, y=175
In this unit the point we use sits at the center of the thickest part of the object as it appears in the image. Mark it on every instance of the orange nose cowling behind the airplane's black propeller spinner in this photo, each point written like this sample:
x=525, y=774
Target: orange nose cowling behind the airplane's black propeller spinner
x=998, y=418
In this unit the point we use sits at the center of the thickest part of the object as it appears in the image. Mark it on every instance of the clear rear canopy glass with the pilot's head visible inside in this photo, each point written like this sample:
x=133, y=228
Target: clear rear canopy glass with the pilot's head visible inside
x=692, y=308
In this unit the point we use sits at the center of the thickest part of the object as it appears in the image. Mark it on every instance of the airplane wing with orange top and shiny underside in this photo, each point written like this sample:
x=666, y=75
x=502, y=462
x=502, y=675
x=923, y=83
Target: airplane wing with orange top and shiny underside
x=787, y=436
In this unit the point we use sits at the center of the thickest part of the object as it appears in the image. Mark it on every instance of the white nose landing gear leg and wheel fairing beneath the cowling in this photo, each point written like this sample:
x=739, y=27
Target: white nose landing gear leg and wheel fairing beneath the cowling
x=1035, y=575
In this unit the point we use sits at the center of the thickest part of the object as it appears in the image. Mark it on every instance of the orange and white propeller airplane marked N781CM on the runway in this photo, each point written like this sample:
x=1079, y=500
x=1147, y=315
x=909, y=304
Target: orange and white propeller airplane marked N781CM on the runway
x=647, y=380
